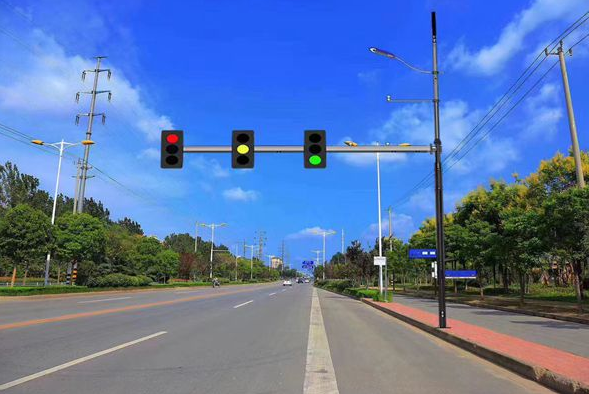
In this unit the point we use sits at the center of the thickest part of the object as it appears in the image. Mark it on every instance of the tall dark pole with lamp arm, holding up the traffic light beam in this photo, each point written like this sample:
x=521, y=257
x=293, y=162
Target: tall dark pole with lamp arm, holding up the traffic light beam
x=440, y=250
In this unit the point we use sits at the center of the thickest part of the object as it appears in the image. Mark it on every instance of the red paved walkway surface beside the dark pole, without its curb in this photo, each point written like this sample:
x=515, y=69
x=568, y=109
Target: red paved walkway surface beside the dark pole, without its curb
x=567, y=364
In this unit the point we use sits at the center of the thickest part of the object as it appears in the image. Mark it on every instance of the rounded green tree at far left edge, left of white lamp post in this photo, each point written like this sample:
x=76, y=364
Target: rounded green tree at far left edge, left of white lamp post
x=25, y=237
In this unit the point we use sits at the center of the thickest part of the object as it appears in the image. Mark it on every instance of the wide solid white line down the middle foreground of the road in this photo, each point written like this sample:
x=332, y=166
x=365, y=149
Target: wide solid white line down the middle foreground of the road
x=319, y=371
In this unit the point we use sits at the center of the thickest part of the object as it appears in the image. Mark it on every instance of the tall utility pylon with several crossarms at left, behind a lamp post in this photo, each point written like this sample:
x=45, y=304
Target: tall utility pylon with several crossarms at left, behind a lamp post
x=90, y=115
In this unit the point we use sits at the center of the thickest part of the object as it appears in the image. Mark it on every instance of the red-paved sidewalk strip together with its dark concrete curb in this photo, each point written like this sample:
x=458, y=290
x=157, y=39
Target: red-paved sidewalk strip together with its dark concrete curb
x=557, y=369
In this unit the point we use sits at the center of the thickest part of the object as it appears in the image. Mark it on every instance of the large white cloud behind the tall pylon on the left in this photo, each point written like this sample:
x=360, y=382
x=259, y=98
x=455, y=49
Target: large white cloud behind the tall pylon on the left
x=46, y=83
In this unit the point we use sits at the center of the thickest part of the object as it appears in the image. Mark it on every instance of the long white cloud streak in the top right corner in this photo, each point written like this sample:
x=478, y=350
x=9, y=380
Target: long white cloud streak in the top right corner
x=491, y=59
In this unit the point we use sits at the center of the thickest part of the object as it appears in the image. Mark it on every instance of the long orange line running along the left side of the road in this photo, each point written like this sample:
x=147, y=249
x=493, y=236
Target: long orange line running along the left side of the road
x=27, y=323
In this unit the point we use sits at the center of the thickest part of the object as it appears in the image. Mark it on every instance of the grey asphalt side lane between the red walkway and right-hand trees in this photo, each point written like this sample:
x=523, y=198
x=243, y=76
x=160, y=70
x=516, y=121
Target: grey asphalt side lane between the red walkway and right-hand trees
x=568, y=336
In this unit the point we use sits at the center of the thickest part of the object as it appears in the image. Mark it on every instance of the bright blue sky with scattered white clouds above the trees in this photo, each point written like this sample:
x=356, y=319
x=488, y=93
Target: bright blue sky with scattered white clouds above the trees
x=280, y=67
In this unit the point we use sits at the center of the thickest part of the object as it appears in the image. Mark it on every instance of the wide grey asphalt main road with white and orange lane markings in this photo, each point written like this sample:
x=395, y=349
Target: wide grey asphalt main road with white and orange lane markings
x=246, y=339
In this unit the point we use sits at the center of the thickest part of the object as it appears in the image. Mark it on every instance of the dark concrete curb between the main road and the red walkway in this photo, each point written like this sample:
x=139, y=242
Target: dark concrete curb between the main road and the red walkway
x=554, y=381
